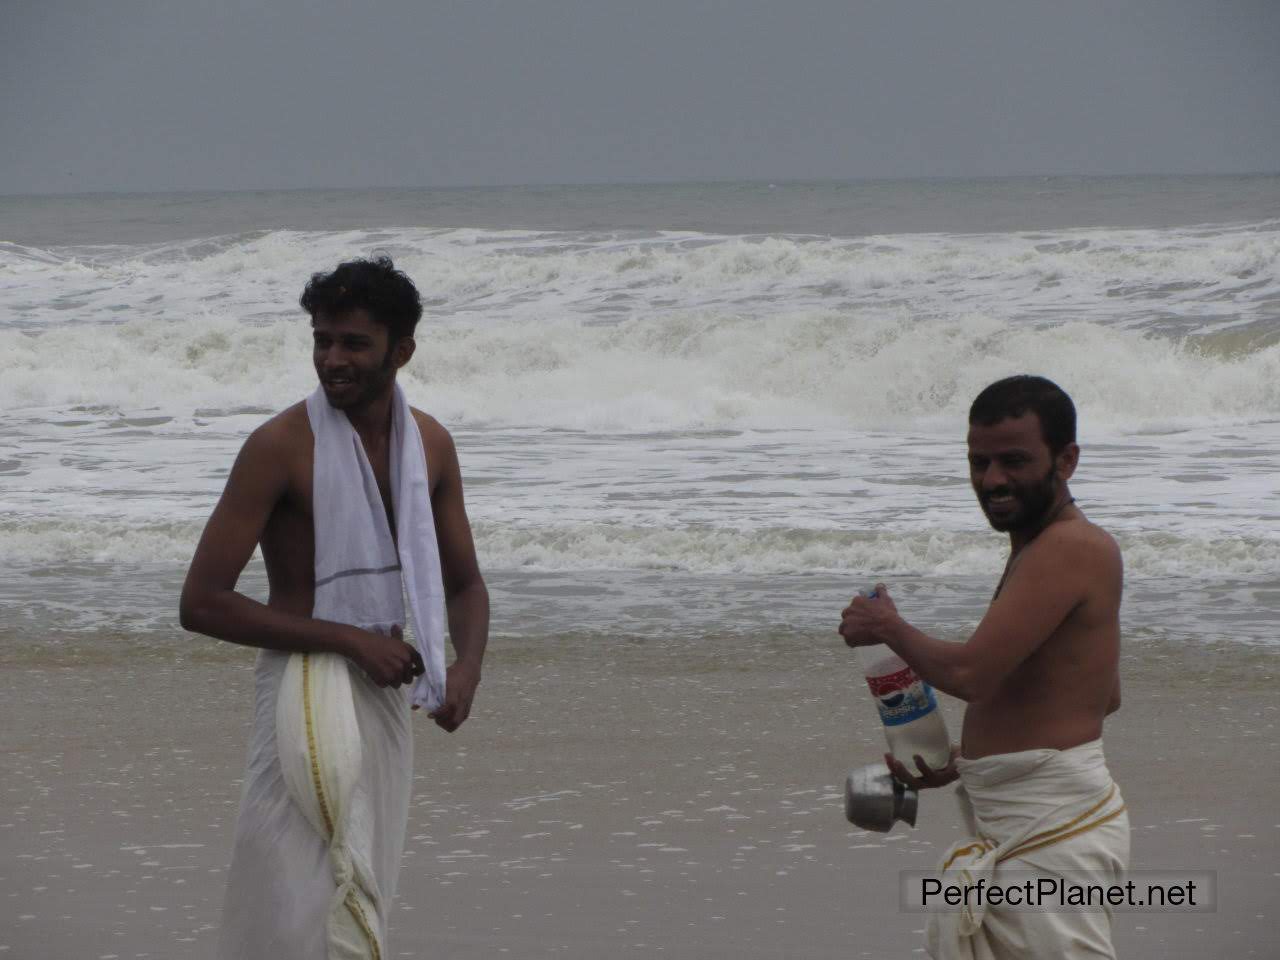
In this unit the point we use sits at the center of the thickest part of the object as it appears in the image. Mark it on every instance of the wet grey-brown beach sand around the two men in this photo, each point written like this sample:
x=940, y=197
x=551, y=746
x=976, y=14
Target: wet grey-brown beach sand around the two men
x=610, y=797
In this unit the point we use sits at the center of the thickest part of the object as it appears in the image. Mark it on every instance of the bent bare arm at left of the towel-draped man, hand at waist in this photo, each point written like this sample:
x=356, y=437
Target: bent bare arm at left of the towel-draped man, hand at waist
x=212, y=606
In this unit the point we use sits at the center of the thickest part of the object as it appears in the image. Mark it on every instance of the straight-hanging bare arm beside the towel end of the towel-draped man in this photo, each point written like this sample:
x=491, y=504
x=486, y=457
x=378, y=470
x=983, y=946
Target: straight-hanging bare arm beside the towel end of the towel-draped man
x=467, y=598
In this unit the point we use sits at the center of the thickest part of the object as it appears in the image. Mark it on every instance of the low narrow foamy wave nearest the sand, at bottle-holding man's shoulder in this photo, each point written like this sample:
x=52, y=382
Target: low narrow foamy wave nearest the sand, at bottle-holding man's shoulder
x=702, y=551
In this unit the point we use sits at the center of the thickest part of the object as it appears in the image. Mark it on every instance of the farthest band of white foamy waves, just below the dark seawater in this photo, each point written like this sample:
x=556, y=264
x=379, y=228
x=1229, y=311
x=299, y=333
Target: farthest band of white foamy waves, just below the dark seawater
x=1144, y=278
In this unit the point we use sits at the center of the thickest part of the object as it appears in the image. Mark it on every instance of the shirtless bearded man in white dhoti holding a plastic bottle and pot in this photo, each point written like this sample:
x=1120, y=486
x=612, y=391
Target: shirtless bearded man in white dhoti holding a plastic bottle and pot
x=1039, y=675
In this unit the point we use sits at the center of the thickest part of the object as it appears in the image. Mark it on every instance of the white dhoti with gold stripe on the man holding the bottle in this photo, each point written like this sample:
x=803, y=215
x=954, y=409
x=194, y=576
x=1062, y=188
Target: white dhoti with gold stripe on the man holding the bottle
x=1044, y=813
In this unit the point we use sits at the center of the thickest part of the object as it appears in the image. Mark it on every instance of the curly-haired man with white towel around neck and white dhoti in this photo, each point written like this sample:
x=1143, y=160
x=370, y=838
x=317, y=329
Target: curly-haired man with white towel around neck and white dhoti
x=356, y=501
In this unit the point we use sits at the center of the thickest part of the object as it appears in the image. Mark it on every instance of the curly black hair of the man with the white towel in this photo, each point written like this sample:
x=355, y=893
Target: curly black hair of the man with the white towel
x=373, y=285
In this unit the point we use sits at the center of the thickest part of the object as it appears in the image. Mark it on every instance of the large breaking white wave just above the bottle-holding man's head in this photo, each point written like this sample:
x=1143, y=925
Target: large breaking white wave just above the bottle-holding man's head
x=683, y=371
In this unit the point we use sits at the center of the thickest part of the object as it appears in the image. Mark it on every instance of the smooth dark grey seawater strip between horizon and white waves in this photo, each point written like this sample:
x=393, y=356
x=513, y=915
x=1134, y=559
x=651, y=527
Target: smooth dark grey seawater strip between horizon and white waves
x=835, y=209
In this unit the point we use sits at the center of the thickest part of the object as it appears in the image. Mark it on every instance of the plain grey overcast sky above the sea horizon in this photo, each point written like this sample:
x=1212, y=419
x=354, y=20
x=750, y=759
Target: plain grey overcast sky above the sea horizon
x=154, y=95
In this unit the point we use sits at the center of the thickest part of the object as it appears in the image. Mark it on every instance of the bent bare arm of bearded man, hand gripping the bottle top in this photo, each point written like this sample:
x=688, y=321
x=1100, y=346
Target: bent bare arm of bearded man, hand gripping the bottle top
x=1048, y=584
